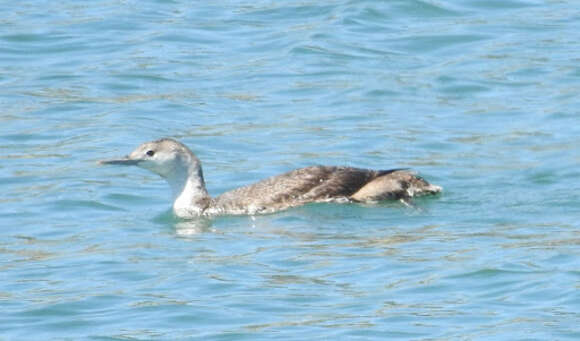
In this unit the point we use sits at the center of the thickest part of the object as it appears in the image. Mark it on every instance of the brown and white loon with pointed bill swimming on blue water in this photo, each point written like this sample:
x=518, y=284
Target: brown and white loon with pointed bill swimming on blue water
x=177, y=164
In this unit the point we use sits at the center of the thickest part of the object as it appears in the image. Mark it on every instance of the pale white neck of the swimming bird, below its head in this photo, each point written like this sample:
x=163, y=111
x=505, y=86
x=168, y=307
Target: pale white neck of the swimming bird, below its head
x=190, y=197
